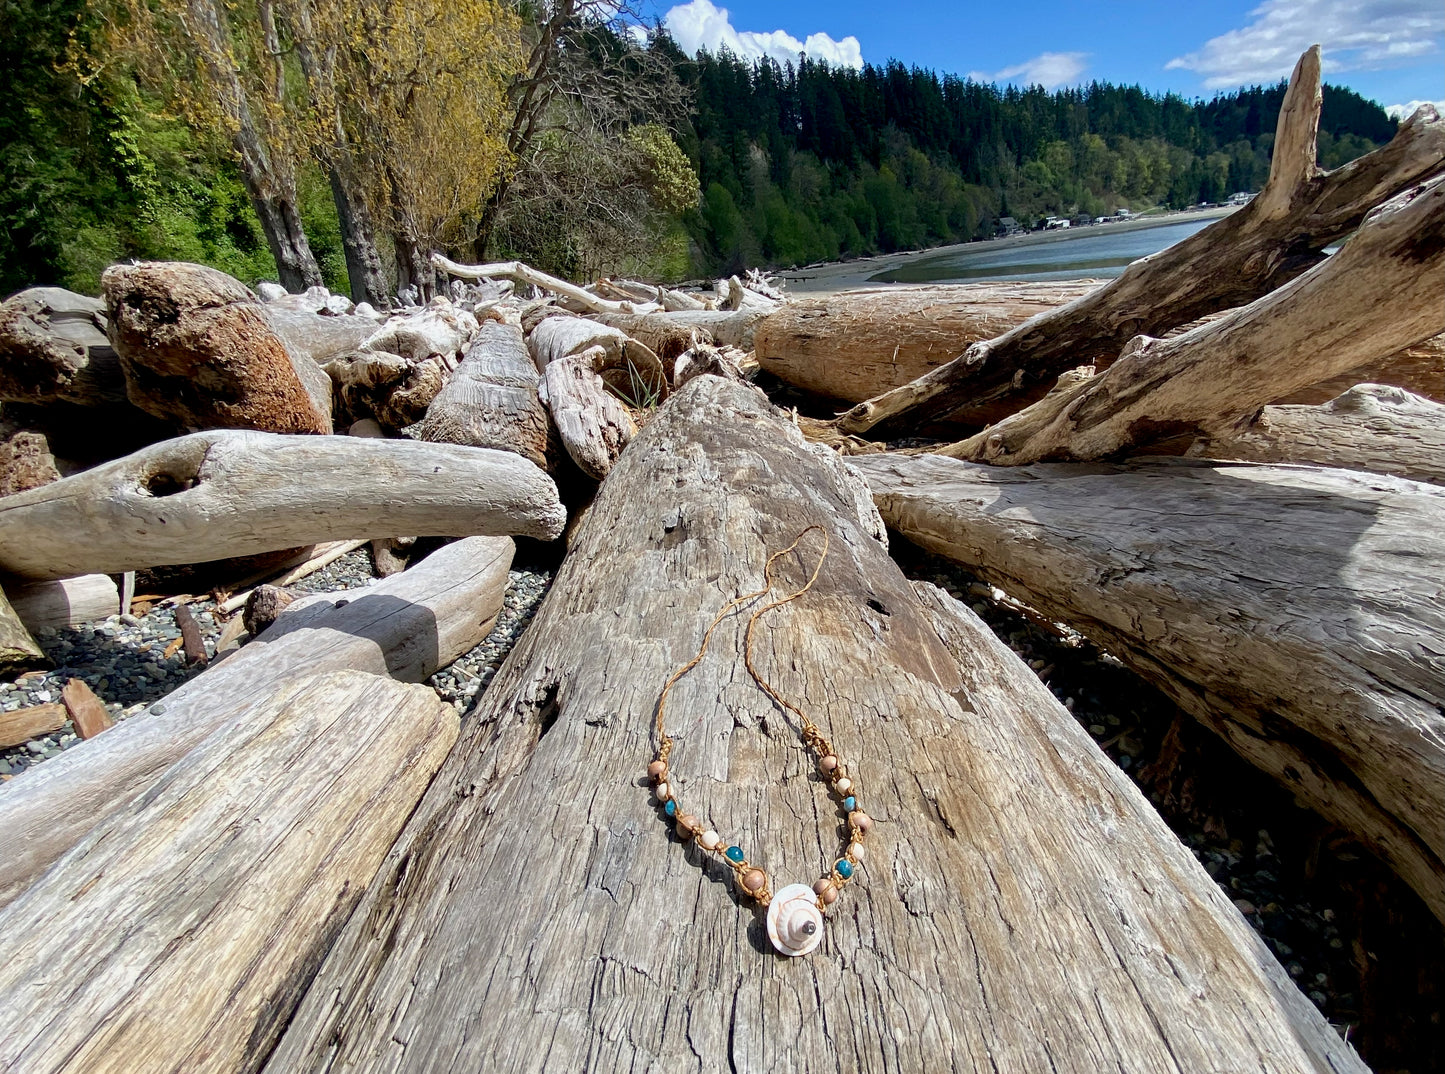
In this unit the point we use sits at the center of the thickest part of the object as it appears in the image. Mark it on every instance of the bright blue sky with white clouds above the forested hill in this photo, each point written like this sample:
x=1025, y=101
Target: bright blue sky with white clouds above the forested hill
x=1392, y=51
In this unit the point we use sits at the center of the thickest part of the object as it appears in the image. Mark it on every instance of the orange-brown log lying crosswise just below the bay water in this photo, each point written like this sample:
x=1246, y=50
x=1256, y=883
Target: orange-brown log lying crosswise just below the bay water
x=862, y=343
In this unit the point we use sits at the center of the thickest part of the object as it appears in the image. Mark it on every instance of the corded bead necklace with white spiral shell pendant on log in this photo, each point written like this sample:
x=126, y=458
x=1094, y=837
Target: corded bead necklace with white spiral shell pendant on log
x=795, y=914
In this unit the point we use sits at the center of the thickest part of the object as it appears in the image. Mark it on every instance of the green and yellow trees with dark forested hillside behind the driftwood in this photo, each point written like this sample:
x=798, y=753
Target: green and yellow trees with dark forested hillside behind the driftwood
x=340, y=142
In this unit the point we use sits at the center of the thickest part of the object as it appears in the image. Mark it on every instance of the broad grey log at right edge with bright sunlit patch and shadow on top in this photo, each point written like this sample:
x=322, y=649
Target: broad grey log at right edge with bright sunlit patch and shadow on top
x=1297, y=612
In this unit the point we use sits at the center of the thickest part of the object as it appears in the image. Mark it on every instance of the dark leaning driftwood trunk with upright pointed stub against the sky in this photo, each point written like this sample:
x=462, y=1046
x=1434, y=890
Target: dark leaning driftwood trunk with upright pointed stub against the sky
x=1235, y=261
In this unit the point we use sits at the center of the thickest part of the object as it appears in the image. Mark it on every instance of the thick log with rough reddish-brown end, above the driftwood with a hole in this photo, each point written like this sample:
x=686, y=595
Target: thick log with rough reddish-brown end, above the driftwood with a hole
x=199, y=348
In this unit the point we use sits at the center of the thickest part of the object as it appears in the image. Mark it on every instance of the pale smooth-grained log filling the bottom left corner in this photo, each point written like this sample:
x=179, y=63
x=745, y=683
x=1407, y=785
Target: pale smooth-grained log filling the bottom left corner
x=181, y=933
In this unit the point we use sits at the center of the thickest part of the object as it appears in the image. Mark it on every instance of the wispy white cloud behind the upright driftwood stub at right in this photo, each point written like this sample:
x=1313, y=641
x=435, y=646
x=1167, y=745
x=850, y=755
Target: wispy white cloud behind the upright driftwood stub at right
x=1358, y=35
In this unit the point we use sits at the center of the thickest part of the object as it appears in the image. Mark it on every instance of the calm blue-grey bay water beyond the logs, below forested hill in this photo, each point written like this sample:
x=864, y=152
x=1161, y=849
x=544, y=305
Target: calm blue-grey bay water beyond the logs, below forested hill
x=1095, y=252
